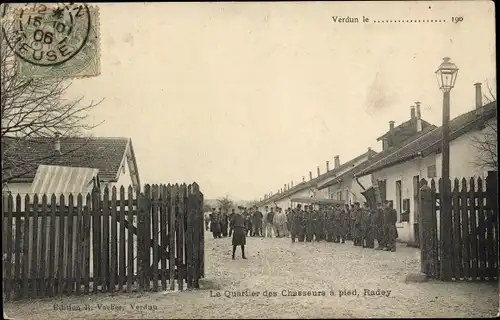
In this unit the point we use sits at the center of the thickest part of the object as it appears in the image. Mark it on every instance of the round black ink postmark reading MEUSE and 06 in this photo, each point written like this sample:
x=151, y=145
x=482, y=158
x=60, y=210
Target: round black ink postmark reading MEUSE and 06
x=46, y=35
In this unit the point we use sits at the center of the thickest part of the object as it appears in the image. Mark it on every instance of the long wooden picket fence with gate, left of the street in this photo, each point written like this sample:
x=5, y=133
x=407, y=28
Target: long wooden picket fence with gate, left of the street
x=103, y=242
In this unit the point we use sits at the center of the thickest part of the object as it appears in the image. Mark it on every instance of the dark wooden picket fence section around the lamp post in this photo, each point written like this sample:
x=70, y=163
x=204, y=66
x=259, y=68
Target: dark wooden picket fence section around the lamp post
x=472, y=253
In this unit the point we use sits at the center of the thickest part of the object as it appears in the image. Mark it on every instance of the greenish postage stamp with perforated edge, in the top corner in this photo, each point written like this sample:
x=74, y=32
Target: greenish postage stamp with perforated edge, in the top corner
x=54, y=40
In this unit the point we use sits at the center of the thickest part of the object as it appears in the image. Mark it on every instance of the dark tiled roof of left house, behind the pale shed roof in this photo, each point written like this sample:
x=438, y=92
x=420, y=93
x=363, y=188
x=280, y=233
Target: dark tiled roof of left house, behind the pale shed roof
x=21, y=158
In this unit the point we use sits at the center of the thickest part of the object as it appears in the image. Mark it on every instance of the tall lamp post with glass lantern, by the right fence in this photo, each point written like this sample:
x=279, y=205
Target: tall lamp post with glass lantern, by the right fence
x=446, y=76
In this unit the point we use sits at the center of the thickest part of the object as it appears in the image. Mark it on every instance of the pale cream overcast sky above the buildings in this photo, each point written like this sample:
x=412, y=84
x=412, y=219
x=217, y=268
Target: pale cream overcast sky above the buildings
x=244, y=97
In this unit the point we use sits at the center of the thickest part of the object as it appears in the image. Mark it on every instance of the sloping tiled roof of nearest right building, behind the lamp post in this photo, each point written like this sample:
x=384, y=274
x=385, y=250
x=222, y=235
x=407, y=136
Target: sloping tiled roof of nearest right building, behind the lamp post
x=431, y=141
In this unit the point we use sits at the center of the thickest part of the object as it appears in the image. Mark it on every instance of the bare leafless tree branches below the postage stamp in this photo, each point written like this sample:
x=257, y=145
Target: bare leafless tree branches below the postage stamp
x=34, y=108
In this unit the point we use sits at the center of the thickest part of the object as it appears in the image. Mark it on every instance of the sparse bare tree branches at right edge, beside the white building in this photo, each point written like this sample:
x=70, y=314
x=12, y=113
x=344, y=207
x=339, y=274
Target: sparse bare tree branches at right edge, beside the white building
x=485, y=144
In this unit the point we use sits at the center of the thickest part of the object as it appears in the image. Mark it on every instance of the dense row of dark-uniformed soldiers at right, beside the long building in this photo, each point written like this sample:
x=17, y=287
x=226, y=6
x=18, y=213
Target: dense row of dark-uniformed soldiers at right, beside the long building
x=362, y=225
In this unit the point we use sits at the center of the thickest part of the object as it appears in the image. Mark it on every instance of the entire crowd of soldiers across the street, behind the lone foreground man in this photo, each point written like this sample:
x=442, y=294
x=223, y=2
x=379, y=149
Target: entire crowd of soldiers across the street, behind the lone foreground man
x=332, y=223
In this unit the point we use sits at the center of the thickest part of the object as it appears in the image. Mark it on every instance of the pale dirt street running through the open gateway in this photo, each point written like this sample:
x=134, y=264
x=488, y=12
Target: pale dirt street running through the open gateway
x=288, y=281
